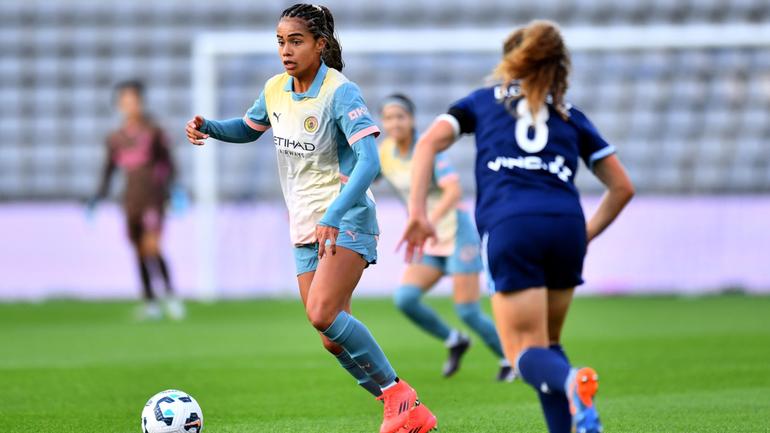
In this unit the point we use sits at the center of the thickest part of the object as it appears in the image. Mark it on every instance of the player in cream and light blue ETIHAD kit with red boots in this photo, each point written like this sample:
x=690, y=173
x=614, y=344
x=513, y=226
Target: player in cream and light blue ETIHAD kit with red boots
x=327, y=159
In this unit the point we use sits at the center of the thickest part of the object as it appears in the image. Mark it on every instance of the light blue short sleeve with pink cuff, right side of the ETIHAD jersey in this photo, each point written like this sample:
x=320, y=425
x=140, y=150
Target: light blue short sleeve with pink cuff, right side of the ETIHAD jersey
x=351, y=114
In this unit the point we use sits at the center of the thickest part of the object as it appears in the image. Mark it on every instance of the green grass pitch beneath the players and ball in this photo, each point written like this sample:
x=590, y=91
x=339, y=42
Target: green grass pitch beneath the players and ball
x=667, y=365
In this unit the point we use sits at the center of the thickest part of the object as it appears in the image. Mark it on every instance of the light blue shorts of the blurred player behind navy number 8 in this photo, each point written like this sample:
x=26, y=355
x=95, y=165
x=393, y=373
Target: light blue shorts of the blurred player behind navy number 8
x=466, y=258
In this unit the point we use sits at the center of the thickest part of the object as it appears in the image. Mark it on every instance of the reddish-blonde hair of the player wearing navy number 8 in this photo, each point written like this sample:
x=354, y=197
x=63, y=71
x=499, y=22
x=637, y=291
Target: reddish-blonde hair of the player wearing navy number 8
x=537, y=56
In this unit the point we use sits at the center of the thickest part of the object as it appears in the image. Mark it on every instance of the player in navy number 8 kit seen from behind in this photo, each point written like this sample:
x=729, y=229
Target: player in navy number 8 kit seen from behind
x=528, y=210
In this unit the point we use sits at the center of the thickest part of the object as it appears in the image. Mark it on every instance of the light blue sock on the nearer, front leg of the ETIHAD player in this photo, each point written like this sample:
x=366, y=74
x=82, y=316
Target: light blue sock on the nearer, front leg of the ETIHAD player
x=353, y=336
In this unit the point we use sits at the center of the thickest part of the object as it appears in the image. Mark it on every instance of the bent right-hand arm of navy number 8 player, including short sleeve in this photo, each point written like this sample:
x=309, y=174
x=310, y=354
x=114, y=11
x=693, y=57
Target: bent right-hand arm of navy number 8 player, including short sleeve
x=600, y=157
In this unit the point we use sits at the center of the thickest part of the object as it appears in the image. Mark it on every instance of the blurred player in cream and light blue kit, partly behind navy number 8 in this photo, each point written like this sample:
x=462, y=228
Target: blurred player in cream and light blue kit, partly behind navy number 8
x=456, y=251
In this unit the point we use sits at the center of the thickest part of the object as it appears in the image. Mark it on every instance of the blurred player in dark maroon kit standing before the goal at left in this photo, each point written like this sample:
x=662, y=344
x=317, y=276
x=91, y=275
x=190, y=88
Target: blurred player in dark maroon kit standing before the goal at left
x=140, y=148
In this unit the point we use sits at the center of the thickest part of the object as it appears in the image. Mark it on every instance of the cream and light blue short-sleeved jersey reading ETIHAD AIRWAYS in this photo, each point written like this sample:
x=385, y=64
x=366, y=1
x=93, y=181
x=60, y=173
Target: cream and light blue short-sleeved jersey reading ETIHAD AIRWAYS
x=313, y=133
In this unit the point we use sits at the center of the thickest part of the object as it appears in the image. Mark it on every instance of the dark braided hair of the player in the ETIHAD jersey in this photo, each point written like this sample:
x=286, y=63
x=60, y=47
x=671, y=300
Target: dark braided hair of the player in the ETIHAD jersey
x=320, y=23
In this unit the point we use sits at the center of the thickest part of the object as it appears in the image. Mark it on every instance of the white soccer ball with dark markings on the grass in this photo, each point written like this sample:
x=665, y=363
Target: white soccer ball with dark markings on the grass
x=172, y=411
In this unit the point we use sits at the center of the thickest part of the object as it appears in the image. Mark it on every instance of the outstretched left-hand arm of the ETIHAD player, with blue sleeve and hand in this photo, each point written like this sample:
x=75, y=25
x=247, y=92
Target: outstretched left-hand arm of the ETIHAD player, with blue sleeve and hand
x=237, y=130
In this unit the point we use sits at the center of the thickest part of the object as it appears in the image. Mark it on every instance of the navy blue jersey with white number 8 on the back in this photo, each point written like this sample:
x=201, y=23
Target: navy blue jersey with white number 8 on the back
x=525, y=166
